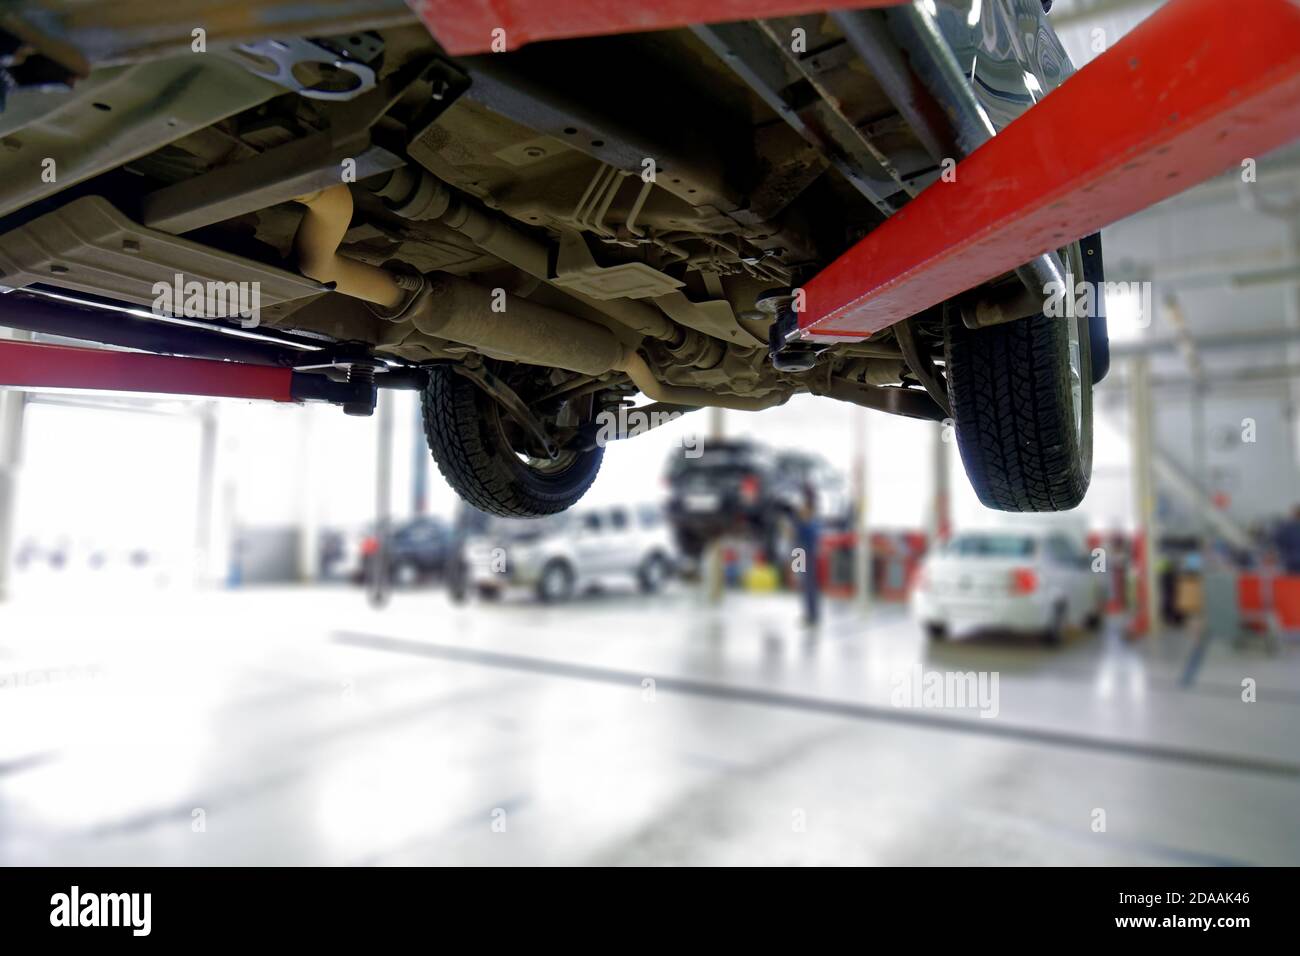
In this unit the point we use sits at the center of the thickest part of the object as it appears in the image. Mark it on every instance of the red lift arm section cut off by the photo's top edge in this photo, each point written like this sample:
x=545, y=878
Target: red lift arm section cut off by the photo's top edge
x=469, y=27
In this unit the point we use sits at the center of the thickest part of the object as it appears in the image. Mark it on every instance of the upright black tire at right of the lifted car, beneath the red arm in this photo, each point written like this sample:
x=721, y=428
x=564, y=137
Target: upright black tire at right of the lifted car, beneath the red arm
x=1012, y=400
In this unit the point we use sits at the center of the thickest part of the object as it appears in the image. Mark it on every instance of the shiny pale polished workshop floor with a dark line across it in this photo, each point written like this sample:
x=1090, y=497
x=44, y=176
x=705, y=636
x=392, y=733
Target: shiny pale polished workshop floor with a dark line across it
x=302, y=728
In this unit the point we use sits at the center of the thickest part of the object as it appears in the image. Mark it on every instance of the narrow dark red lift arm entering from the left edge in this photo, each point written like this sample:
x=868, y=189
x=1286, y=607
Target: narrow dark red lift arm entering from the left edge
x=31, y=365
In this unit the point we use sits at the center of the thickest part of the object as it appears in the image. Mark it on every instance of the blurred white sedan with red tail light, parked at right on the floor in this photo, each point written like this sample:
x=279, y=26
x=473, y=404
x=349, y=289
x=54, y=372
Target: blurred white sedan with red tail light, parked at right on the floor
x=1008, y=581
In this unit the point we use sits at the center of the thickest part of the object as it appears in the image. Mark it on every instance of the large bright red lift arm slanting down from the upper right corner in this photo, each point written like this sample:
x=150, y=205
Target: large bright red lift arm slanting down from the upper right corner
x=1197, y=89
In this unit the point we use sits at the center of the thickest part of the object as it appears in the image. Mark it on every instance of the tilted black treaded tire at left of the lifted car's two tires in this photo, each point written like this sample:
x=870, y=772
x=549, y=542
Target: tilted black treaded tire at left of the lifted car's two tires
x=467, y=436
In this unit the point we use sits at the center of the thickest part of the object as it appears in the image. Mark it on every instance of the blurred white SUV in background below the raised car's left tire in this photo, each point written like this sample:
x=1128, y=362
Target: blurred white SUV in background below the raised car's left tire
x=561, y=556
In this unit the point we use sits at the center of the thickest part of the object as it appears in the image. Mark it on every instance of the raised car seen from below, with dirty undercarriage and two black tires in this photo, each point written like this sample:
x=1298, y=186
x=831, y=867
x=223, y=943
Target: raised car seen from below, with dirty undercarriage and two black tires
x=535, y=237
